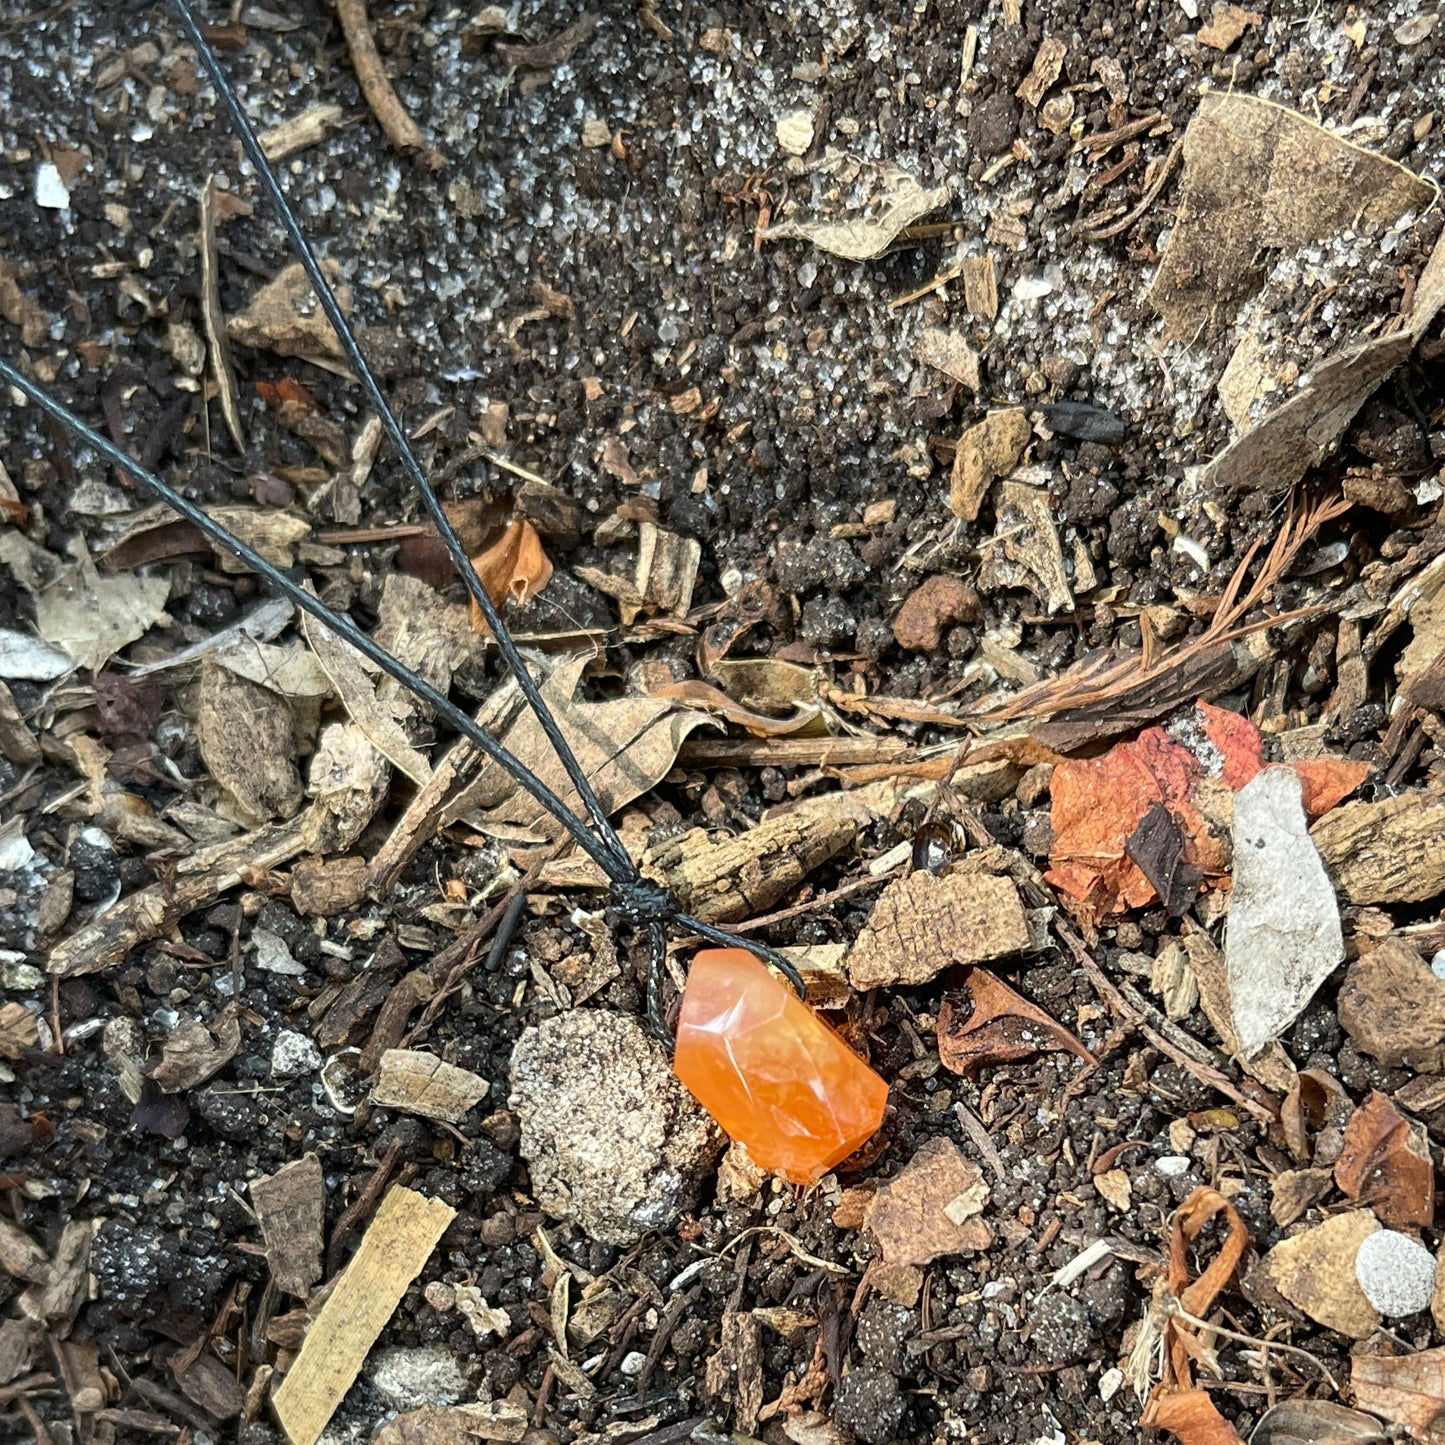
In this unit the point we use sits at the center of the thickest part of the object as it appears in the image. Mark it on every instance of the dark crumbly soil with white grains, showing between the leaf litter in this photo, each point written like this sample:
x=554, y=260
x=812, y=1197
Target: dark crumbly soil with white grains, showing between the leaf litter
x=820, y=413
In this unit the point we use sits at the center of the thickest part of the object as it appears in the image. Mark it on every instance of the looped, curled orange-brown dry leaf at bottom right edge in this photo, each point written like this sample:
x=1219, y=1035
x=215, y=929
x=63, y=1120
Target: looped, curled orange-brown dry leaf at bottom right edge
x=1176, y=1405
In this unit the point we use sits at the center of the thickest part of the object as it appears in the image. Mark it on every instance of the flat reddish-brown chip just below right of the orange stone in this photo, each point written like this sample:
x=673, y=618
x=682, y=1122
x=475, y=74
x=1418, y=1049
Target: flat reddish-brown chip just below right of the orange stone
x=931, y=1209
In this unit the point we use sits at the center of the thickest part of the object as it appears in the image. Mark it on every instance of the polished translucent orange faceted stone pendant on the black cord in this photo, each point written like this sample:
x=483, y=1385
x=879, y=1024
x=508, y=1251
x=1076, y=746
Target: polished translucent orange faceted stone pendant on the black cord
x=771, y=1071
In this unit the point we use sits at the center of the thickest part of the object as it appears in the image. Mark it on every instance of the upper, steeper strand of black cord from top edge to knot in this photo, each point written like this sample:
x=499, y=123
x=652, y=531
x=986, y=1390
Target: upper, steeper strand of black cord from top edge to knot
x=608, y=836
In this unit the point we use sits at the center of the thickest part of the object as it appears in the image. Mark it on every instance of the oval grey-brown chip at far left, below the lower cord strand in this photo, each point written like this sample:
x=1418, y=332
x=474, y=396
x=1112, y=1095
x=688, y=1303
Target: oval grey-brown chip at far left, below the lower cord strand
x=248, y=741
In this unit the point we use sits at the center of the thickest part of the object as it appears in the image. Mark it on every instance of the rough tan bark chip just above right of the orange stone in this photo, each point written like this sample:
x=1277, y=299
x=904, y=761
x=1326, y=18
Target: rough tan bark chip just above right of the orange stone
x=923, y=924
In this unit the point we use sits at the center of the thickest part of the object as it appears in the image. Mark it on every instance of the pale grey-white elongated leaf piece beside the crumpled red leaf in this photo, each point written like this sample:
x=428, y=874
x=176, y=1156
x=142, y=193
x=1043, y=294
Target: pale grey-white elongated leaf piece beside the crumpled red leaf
x=1284, y=936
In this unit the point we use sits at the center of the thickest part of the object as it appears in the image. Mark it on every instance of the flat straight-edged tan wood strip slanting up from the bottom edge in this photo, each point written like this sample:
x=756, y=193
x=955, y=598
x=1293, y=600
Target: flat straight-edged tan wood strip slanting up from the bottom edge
x=392, y=1254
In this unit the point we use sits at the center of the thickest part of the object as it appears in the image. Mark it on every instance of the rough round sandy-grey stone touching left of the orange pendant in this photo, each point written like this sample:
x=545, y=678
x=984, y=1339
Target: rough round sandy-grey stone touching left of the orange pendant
x=612, y=1138
